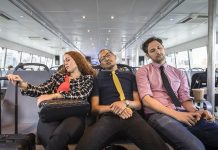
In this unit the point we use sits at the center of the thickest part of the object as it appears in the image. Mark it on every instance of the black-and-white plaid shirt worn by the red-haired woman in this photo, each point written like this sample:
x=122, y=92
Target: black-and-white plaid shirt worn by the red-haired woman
x=80, y=88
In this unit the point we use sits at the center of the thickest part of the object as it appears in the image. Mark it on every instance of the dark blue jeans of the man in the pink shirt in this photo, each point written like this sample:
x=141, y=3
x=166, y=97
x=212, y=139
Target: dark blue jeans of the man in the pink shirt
x=184, y=137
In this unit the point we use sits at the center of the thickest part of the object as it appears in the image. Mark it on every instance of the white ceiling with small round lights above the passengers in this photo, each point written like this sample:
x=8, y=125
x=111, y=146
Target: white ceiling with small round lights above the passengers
x=63, y=19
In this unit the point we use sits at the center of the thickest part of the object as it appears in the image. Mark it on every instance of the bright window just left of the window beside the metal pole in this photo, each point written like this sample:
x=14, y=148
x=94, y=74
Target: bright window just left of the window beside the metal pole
x=182, y=60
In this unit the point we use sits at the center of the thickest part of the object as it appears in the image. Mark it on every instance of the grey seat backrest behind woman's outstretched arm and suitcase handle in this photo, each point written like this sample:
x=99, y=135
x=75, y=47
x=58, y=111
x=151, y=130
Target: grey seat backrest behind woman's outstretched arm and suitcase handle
x=27, y=108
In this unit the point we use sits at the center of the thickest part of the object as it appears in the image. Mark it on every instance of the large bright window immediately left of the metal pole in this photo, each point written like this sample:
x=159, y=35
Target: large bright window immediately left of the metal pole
x=198, y=57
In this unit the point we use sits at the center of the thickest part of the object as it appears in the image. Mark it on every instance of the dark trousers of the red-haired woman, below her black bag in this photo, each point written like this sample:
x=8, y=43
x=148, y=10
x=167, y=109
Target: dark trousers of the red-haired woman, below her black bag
x=57, y=135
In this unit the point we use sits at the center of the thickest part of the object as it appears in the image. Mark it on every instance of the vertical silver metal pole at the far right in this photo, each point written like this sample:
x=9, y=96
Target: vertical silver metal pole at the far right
x=211, y=52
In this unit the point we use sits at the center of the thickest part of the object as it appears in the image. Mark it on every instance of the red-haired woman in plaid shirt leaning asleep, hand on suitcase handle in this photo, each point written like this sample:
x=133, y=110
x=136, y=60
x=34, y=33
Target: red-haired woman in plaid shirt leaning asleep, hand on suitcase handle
x=73, y=81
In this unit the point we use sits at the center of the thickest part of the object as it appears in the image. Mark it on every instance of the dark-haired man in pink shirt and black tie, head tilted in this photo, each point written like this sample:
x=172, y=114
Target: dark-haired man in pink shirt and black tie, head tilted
x=185, y=127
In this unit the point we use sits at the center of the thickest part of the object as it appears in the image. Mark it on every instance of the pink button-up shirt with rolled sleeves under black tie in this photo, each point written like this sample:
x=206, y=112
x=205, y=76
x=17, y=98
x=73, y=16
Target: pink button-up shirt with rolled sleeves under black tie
x=149, y=82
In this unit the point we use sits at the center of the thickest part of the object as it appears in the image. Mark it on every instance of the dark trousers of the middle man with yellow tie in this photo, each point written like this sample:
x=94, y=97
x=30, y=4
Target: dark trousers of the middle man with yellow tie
x=135, y=129
